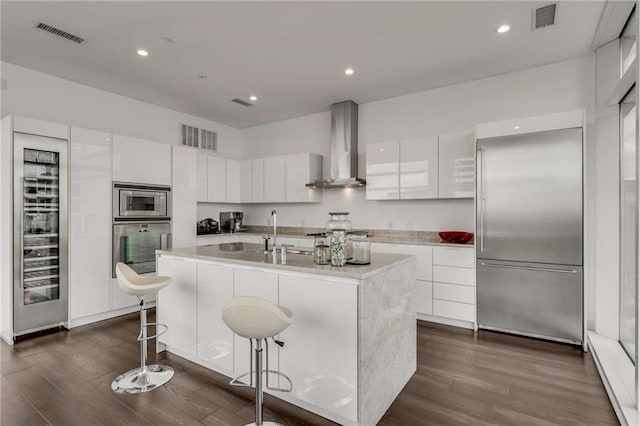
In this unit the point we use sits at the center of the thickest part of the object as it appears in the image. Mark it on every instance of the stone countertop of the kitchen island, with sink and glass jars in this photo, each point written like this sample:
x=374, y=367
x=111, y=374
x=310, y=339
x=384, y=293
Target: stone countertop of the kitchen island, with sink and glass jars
x=252, y=255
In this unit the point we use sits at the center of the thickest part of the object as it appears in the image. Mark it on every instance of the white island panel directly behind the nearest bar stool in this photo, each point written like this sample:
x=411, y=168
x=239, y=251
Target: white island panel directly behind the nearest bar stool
x=248, y=282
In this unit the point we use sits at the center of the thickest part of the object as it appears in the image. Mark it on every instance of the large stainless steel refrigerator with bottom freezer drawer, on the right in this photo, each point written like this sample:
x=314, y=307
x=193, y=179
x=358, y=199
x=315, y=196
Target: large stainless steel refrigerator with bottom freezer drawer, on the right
x=529, y=234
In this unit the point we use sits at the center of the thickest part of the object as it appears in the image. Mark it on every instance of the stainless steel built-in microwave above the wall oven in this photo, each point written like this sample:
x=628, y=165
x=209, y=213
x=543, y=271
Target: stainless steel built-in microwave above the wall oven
x=136, y=202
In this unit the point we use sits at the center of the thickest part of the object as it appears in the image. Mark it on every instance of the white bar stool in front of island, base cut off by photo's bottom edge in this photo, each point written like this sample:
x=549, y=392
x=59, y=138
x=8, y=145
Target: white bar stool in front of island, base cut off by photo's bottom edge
x=257, y=319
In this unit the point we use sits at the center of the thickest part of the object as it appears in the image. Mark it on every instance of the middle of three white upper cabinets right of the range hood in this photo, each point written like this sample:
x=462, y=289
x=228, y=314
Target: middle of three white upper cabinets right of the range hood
x=419, y=168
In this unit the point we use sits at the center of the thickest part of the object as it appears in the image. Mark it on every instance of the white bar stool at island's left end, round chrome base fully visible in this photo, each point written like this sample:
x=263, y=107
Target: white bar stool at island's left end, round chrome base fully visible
x=146, y=377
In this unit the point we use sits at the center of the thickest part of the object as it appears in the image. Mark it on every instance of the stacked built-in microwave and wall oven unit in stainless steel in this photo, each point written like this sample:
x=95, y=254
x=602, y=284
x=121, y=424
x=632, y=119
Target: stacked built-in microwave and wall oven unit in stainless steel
x=141, y=225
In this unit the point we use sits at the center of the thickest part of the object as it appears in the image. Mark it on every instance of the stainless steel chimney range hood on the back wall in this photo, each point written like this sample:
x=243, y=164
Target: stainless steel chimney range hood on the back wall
x=344, y=148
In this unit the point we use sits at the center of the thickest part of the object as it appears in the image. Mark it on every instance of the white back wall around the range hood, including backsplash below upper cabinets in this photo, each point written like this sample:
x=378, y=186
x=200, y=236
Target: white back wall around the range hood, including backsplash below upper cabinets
x=552, y=88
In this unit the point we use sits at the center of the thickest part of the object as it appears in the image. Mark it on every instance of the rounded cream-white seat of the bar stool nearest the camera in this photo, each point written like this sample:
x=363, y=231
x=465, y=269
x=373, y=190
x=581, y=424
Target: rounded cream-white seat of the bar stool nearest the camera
x=255, y=318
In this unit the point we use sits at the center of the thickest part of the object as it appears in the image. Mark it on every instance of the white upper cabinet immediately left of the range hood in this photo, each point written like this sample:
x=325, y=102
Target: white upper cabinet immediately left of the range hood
x=302, y=169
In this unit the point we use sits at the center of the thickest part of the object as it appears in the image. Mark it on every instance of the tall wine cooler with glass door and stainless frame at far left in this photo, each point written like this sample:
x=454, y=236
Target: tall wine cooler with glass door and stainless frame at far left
x=40, y=233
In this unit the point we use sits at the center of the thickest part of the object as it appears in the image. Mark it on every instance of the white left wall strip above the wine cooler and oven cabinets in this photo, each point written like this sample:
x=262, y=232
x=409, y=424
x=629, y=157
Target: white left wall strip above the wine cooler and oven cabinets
x=43, y=96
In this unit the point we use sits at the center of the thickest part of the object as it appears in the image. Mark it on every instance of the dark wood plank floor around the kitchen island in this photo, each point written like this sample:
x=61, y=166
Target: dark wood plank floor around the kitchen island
x=462, y=378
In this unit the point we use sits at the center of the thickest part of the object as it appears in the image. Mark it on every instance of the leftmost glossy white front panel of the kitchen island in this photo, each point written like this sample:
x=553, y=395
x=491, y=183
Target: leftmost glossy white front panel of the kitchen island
x=181, y=312
